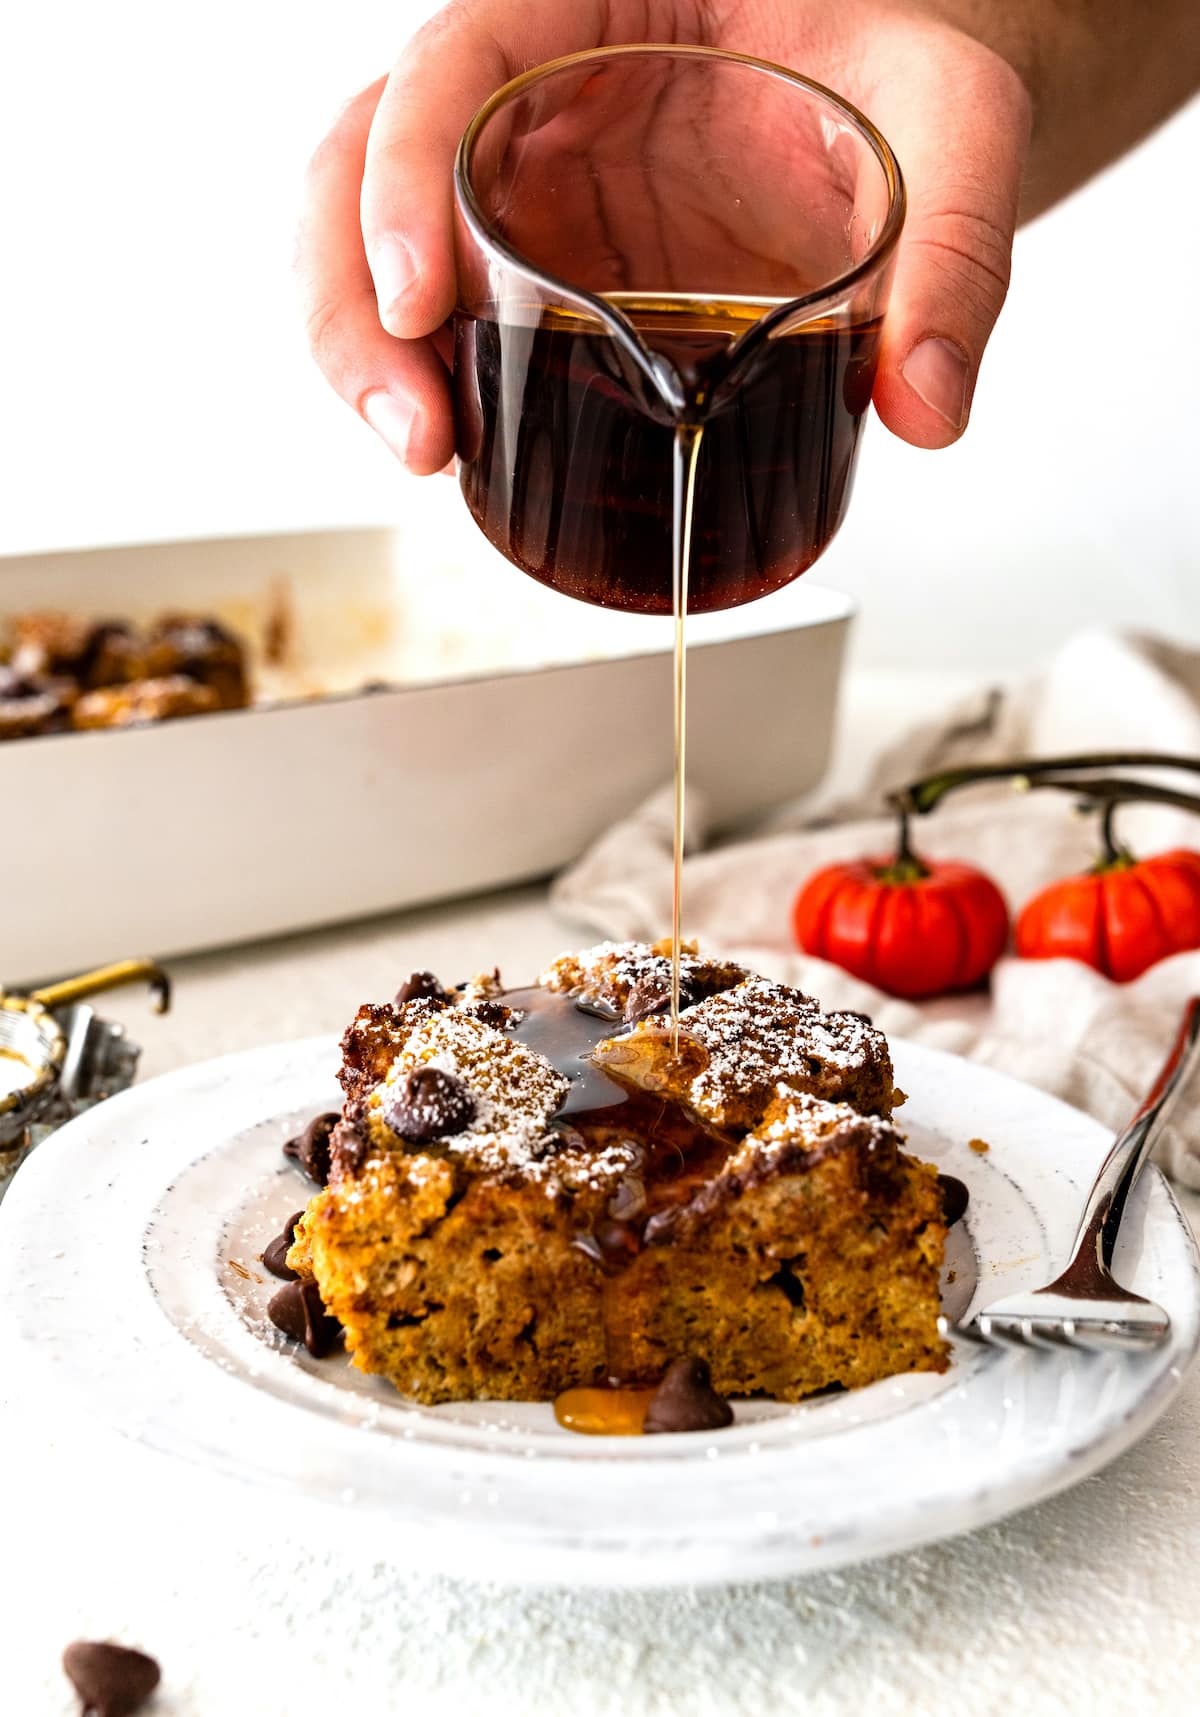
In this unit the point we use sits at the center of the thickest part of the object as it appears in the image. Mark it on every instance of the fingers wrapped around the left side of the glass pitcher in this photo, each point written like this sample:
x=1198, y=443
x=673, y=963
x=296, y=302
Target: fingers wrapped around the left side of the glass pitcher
x=375, y=257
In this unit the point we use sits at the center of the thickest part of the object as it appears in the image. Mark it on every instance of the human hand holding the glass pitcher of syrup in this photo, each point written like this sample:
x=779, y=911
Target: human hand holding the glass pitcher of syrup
x=377, y=253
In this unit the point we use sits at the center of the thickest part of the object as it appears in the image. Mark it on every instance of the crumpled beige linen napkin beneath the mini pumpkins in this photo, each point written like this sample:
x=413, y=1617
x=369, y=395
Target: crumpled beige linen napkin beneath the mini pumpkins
x=1055, y=1022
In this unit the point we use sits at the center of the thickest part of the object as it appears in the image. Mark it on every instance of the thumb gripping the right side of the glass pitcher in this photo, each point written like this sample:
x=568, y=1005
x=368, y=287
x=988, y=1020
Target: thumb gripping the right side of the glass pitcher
x=961, y=123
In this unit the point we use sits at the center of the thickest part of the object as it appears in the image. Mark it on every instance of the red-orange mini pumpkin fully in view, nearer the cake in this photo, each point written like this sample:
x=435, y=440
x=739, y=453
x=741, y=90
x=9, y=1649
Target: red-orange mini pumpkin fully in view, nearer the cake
x=909, y=926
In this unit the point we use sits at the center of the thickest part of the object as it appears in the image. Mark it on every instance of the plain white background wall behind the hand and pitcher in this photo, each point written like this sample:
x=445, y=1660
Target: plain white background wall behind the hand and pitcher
x=155, y=384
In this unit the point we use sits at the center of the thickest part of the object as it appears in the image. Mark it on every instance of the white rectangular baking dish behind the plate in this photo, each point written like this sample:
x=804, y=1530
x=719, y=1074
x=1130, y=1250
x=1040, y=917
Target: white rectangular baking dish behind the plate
x=507, y=729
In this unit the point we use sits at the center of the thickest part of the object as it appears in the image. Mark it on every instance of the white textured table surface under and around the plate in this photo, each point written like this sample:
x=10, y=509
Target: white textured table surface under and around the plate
x=1088, y=1605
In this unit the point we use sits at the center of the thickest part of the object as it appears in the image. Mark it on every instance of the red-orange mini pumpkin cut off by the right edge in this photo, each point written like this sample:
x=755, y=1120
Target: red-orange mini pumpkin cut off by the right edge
x=1120, y=918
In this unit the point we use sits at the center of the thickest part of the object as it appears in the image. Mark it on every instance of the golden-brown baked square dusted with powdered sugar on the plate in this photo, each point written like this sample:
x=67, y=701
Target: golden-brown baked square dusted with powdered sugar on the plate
x=531, y=1191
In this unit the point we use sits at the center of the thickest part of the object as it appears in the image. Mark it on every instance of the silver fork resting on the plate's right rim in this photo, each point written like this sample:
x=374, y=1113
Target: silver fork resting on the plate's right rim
x=1086, y=1307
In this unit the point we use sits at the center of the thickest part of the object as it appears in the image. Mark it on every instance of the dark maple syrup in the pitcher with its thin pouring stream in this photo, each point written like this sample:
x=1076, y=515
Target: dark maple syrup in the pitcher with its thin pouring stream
x=684, y=476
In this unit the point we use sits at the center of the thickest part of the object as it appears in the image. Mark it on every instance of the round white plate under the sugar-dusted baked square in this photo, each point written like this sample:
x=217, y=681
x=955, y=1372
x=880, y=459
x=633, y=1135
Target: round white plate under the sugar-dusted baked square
x=133, y=1294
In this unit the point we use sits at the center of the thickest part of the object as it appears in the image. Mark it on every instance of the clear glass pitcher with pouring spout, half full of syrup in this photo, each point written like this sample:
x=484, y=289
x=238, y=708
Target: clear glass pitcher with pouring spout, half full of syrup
x=653, y=236
